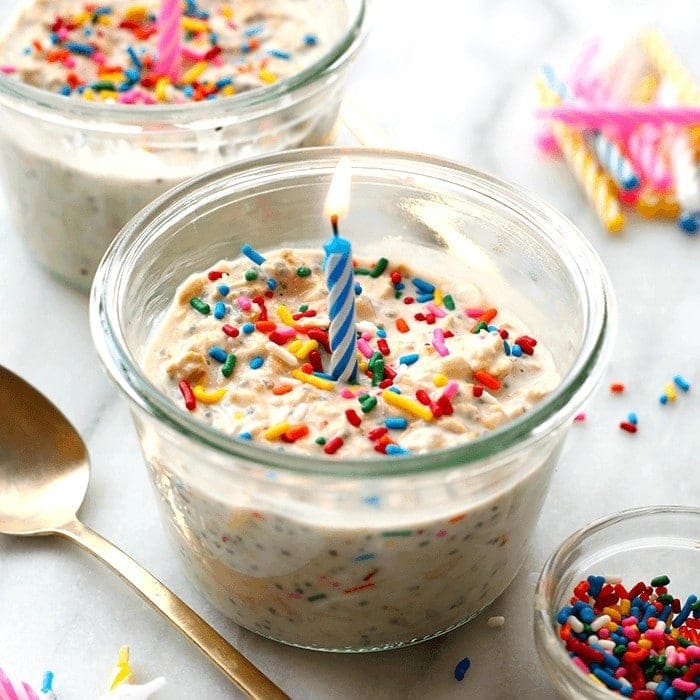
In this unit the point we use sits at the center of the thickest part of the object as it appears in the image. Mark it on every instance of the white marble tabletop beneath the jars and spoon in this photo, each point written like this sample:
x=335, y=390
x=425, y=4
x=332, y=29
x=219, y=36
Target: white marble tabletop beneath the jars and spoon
x=456, y=82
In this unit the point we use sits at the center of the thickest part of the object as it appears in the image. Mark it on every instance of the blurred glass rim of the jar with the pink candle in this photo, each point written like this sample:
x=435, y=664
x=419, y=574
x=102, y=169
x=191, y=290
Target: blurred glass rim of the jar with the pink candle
x=232, y=108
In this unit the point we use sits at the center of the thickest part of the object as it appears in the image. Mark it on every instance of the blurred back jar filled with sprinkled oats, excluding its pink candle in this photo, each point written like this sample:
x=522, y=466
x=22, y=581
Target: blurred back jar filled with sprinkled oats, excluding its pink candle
x=96, y=125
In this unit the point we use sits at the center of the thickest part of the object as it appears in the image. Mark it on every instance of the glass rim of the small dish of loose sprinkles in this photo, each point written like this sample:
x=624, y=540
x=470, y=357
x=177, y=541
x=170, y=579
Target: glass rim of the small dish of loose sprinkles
x=545, y=617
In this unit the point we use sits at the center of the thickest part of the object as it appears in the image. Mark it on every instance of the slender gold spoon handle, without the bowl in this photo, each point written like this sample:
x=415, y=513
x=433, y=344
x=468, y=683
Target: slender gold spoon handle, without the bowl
x=230, y=661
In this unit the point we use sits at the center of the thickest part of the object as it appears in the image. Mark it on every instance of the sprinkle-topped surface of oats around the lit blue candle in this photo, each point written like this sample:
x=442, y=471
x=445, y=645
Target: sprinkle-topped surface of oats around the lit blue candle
x=244, y=348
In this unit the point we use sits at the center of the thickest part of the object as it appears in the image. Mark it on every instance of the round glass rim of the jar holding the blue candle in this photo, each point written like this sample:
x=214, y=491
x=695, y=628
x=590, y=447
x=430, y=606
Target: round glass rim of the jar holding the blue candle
x=514, y=435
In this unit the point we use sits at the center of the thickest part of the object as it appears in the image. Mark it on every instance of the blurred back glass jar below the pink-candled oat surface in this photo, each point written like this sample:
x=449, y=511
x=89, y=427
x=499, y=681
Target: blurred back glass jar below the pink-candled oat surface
x=75, y=171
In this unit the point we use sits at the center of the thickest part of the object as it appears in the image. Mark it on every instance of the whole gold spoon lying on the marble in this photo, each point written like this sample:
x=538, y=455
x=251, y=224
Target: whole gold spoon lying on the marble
x=44, y=474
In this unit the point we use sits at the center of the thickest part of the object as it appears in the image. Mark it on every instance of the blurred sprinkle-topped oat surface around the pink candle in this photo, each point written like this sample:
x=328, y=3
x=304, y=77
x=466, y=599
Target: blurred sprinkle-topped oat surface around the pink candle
x=109, y=51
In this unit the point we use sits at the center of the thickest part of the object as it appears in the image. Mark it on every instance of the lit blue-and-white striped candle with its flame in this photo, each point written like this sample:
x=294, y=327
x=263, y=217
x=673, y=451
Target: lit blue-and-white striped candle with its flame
x=340, y=279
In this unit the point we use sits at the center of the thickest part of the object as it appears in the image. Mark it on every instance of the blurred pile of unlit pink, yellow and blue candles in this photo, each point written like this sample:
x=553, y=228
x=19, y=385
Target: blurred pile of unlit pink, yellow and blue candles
x=628, y=126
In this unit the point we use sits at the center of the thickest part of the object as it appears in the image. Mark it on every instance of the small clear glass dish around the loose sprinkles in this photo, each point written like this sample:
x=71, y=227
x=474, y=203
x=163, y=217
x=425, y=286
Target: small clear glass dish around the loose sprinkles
x=636, y=545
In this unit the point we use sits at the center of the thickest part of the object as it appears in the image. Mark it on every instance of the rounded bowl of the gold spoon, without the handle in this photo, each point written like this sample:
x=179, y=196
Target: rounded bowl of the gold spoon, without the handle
x=44, y=467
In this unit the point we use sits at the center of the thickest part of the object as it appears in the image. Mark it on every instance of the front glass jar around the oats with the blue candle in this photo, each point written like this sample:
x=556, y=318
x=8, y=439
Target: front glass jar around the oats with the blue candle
x=355, y=554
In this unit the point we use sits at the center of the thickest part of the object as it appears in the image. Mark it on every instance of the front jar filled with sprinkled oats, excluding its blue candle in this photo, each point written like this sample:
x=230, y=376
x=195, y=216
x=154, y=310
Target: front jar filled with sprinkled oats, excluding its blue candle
x=362, y=514
